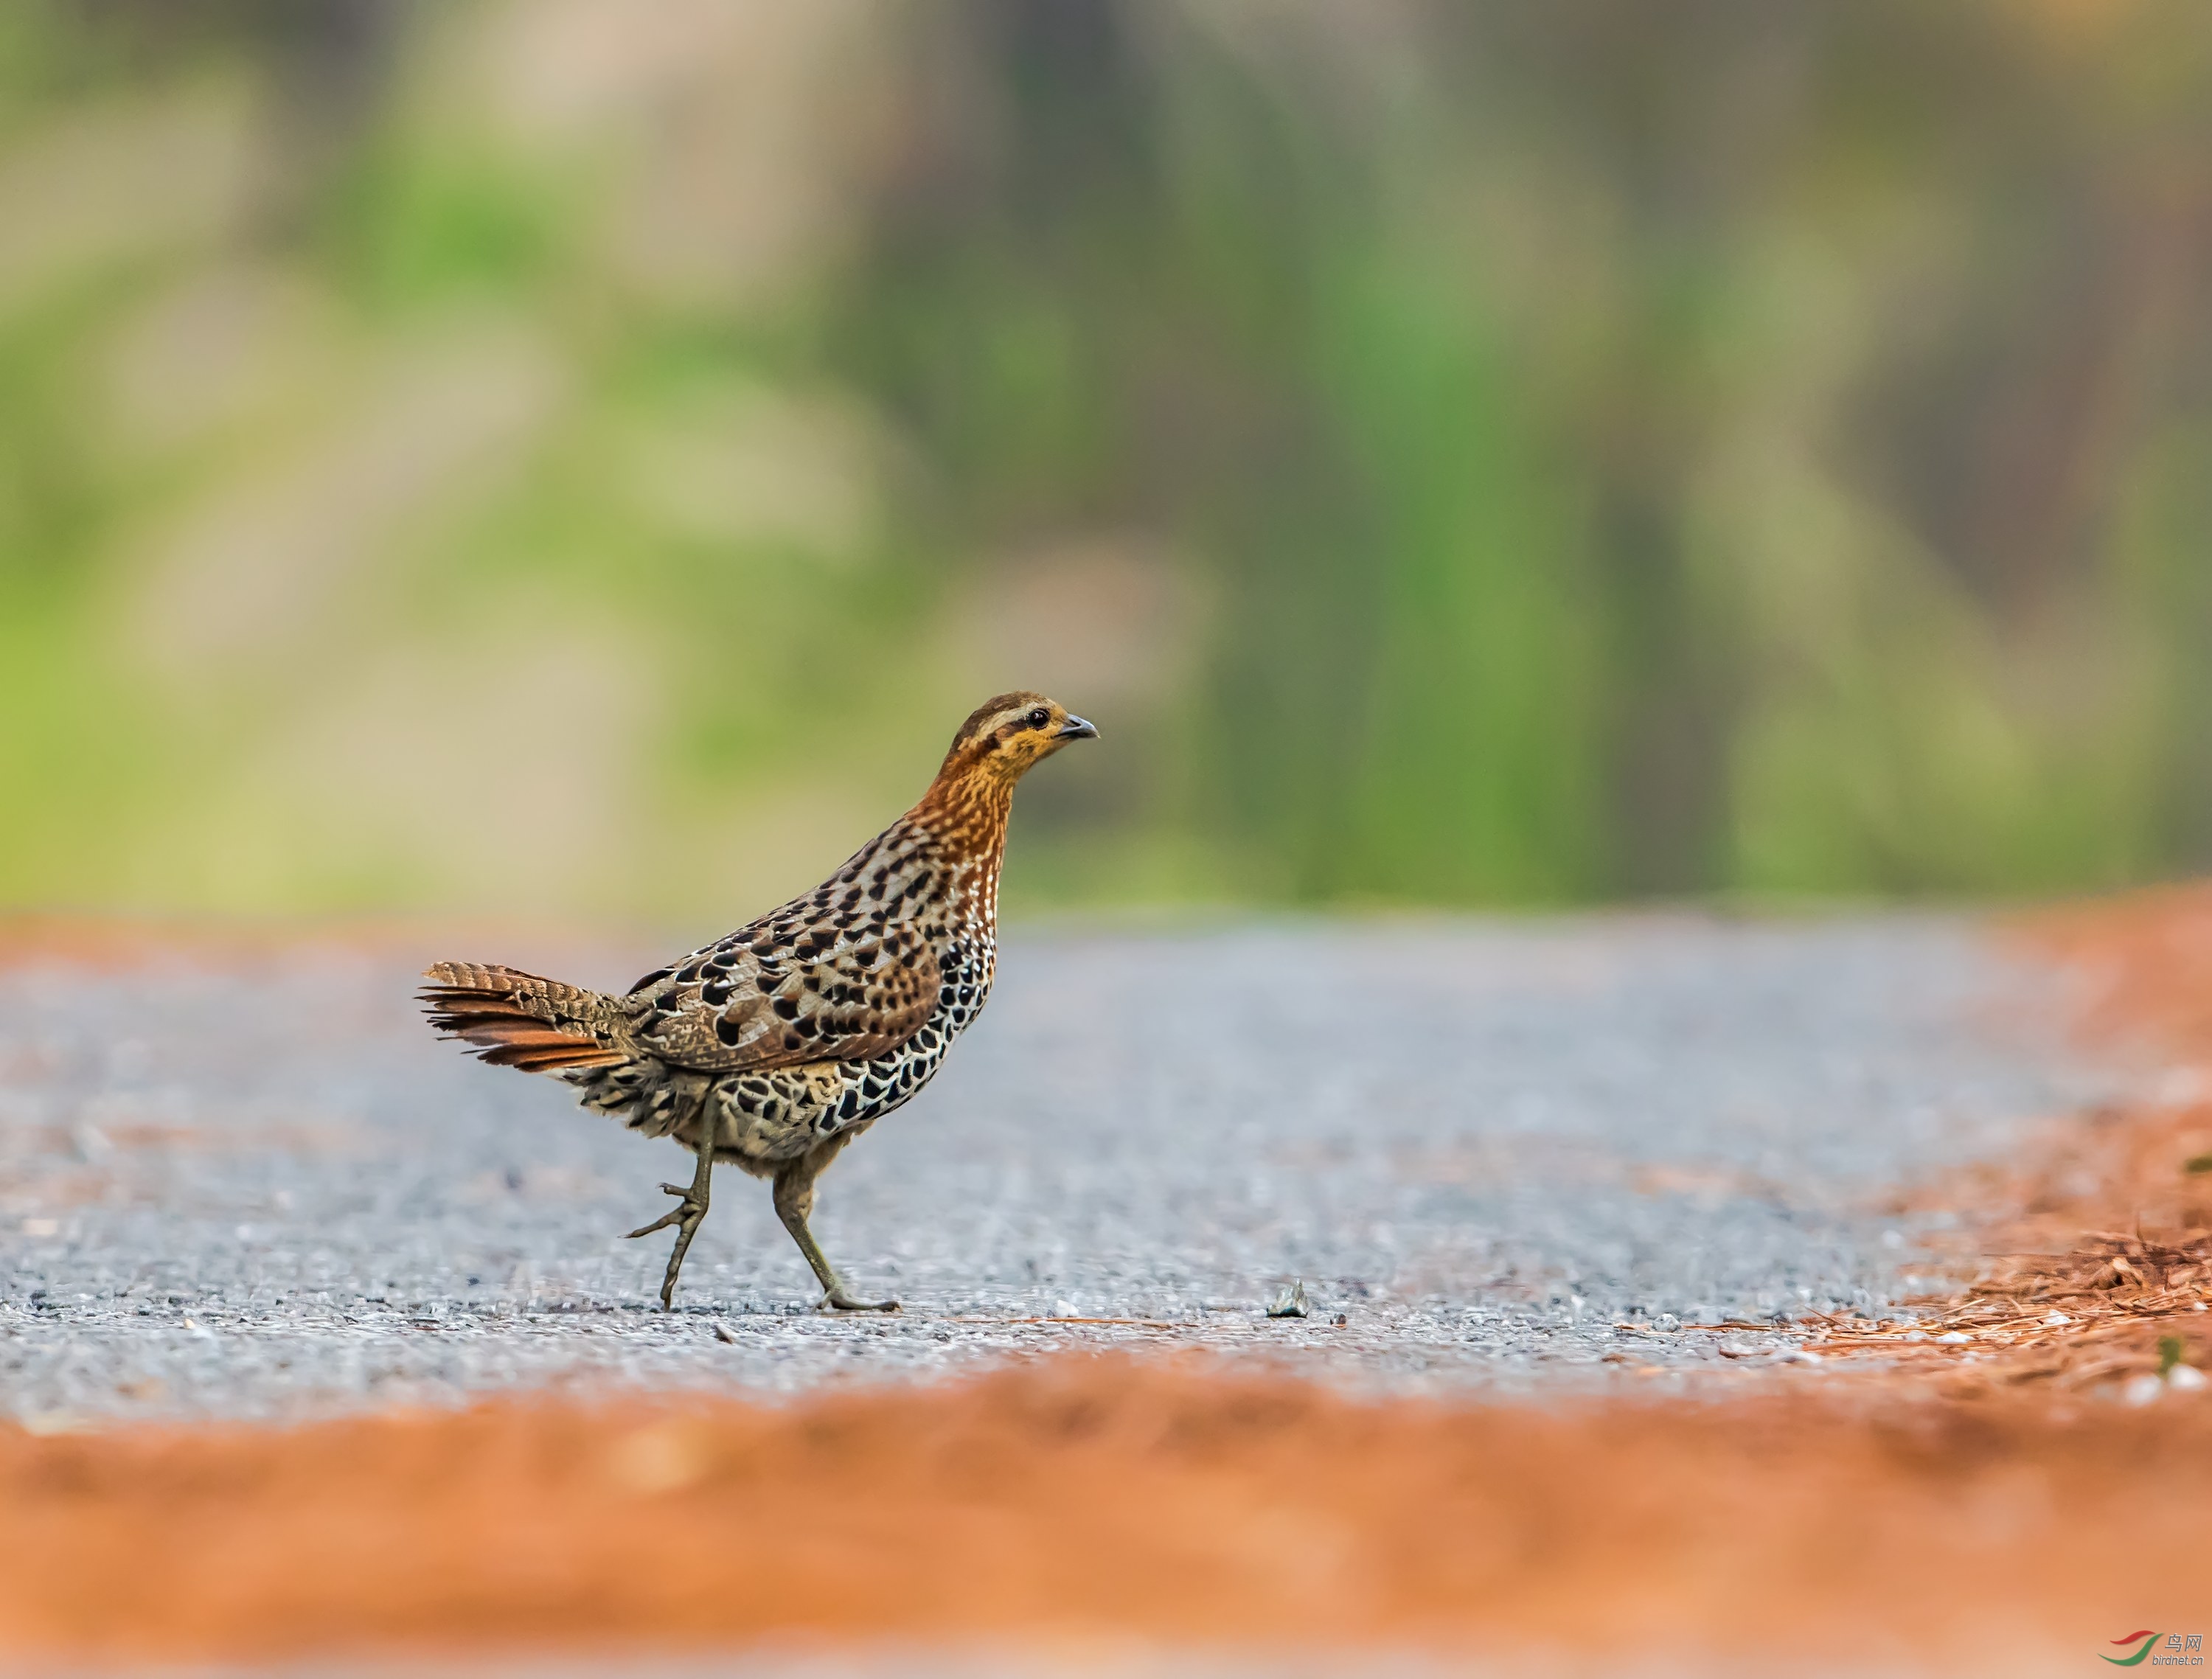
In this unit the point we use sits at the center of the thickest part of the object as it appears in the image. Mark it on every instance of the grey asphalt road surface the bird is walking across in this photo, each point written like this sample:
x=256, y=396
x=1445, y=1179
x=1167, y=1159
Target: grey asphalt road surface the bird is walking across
x=1505, y=1156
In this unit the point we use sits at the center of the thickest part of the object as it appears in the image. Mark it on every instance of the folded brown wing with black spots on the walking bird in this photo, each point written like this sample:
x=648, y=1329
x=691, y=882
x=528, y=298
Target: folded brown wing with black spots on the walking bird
x=778, y=997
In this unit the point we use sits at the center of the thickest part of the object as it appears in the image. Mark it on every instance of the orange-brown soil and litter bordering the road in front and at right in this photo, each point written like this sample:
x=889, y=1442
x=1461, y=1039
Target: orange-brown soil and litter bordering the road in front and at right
x=1819, y=1516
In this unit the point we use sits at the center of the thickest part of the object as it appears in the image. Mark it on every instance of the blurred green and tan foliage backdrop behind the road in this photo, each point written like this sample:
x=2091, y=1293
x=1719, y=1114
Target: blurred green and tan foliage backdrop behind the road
x=536, y=457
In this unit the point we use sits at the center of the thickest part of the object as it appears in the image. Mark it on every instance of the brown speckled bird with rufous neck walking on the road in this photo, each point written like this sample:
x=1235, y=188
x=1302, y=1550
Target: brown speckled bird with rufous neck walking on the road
x=778, y=1045
